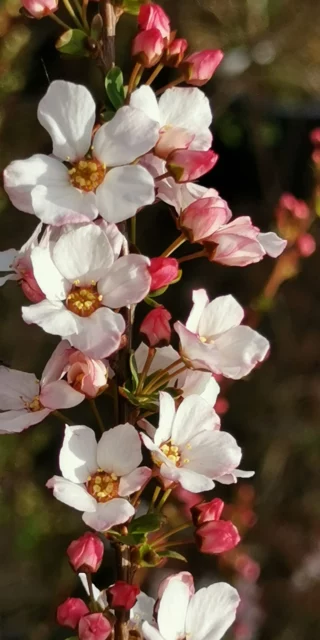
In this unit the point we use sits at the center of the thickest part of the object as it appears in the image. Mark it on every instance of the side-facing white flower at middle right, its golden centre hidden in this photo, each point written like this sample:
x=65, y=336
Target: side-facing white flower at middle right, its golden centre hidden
x=214, y=340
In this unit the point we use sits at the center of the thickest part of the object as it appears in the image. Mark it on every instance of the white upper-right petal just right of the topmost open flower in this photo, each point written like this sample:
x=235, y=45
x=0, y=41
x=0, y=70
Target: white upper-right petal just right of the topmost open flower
x=196, y=118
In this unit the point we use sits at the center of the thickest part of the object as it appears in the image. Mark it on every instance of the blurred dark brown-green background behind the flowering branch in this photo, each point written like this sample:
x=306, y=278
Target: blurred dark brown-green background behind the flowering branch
x=266, y=100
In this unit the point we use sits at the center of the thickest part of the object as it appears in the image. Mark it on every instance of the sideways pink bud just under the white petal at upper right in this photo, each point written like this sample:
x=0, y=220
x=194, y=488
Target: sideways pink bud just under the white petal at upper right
x=185, y=165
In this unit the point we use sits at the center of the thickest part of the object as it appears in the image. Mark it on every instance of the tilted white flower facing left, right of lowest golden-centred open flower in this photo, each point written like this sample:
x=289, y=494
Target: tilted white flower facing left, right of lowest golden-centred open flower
x=188, y=446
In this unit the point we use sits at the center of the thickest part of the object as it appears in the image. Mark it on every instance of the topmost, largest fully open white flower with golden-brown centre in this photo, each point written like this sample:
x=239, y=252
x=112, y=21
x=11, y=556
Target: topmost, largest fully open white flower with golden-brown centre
x=95, y=179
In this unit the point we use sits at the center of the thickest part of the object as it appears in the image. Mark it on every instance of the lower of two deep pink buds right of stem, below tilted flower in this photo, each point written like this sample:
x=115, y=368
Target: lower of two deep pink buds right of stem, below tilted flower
x=217, y=536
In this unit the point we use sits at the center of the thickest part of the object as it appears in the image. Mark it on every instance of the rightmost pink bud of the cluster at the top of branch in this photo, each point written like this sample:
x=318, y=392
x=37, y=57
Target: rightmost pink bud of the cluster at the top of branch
x=199, y=67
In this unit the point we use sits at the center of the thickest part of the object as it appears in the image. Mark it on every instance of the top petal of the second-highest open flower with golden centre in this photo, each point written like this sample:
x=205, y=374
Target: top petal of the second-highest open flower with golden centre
x=83, y=254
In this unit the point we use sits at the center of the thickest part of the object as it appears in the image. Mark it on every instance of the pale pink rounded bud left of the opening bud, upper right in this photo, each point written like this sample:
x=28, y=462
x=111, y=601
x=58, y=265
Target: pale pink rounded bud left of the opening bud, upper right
x=203, y=217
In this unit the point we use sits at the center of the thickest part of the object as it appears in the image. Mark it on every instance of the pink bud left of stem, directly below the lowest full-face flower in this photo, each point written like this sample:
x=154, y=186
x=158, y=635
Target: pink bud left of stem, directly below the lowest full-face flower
x=86, y=553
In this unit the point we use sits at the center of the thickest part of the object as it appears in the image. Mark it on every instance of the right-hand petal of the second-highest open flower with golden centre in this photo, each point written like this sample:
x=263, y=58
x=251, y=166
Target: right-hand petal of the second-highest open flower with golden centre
x=127, y=282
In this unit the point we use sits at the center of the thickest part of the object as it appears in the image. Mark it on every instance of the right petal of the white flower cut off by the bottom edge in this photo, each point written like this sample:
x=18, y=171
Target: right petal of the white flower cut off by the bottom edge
x=222, y=601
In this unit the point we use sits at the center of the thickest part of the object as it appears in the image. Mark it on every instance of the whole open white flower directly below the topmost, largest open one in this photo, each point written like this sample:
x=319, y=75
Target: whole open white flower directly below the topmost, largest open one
x=81, y=280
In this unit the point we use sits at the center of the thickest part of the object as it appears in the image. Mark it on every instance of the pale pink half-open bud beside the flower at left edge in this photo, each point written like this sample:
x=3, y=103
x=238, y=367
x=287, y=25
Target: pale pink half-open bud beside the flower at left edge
x=86, y=375
